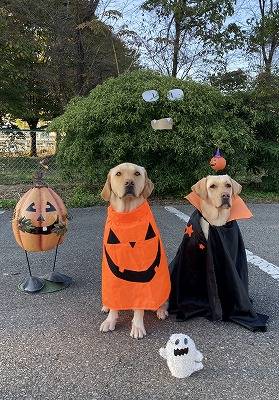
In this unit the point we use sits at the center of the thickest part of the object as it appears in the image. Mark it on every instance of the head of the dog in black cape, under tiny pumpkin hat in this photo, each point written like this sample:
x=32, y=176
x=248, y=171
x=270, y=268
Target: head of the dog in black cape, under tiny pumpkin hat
x=217, y=190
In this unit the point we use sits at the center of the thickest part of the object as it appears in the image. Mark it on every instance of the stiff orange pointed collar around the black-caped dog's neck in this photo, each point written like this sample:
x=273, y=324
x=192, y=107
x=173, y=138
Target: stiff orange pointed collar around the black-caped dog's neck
x=239, y=210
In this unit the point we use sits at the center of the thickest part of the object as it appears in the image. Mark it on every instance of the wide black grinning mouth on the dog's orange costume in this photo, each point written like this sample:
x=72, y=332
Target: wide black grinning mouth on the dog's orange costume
x=135, y=276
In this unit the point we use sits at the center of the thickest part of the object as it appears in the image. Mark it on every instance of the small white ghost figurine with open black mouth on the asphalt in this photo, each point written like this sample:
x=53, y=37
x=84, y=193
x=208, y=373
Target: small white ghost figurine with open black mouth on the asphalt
x=182, y=356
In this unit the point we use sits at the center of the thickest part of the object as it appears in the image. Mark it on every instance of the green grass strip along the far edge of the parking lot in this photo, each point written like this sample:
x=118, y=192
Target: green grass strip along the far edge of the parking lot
x=74, y=191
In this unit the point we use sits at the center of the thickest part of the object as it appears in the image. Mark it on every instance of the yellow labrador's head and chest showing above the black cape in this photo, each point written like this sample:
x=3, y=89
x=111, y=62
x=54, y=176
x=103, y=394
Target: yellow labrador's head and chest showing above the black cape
x=216, y=193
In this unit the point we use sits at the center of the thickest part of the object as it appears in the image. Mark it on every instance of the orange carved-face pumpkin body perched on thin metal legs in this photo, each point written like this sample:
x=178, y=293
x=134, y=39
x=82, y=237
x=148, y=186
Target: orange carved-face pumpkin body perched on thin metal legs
x=40, y=220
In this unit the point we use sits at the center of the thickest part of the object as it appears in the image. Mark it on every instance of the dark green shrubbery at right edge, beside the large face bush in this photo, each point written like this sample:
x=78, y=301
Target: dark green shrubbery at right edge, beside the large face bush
x=260, y=109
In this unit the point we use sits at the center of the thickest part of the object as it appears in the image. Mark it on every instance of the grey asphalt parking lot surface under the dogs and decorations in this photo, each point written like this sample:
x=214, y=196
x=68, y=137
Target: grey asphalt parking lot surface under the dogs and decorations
x=51, y=347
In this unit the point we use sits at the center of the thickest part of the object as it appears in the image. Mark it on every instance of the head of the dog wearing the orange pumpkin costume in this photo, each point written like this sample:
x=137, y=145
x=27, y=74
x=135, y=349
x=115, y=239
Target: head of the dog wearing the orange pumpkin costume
x=127, y=180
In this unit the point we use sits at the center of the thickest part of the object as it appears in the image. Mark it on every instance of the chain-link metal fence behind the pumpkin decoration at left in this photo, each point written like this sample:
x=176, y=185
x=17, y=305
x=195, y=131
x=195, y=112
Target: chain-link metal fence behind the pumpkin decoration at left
x=17, y=168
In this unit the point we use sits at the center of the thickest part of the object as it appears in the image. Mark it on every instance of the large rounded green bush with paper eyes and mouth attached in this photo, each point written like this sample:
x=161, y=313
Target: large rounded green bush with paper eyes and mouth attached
x=112, y=125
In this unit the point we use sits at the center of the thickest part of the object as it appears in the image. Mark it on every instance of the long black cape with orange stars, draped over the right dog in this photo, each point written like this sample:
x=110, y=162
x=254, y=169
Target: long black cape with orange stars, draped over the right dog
x=210, y=278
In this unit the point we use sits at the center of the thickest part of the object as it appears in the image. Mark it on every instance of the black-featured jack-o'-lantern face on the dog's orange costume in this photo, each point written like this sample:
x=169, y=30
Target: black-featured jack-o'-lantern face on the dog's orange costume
x=133, y=254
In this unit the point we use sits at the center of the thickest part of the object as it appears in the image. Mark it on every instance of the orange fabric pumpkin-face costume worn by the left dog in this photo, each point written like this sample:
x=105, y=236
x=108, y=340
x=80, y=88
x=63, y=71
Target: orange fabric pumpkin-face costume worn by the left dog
x=135, y=272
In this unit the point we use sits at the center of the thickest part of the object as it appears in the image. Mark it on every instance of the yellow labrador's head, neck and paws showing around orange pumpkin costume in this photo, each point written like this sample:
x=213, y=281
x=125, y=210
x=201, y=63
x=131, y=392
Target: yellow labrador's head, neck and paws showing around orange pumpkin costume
x=127, y=187
